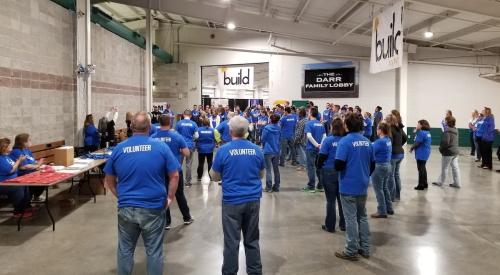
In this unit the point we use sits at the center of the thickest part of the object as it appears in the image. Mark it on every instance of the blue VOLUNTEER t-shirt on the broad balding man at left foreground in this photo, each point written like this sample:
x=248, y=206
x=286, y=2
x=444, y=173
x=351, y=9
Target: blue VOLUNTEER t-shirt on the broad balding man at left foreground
x=140, y=164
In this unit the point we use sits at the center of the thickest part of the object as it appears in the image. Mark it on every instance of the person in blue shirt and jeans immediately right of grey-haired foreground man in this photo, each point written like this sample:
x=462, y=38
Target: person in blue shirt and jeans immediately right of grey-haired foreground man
x=271, y=147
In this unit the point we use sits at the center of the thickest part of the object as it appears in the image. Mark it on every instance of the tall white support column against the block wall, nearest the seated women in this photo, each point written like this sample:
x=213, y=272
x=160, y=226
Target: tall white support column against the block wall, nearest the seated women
x=83, y=100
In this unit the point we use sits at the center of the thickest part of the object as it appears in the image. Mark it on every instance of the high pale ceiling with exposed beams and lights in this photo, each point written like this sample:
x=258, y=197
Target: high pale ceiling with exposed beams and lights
x=465, y=24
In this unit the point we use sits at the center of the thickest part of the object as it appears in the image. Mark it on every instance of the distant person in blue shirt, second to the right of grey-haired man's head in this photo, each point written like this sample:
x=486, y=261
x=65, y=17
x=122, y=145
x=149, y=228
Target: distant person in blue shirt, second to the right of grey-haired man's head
x=287, y=123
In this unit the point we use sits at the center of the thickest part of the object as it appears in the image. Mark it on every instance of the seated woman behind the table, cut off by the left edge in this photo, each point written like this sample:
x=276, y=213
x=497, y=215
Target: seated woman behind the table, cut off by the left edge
x=18, y=195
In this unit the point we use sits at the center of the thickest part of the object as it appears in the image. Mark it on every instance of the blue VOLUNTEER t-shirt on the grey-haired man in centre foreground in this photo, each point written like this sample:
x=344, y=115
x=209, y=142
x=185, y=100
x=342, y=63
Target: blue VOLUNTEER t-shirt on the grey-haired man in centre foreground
x=240, y=181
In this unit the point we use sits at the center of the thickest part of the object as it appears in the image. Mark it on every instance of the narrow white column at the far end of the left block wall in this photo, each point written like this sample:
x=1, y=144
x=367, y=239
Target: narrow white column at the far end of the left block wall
x=148, y=63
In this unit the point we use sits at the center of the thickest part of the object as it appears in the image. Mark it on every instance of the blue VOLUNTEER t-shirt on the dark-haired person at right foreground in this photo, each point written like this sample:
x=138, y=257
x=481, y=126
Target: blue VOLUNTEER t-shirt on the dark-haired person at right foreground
x=356, y=150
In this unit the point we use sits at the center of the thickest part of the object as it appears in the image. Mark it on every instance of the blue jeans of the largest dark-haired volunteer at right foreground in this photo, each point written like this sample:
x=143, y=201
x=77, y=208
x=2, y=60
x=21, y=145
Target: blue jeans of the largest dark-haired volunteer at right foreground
x=357, y=228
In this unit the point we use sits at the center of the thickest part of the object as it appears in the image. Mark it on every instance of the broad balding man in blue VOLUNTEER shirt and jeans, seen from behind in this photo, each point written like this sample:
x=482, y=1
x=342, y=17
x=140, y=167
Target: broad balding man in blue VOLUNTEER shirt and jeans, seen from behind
x=140, y=164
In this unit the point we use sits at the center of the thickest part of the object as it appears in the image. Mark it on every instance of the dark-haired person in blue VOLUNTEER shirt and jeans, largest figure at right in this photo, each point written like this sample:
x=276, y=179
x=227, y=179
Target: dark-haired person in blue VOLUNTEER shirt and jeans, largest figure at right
x=355, y=162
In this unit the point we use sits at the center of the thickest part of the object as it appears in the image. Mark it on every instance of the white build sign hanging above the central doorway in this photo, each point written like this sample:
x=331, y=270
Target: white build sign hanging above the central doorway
x=236, y=78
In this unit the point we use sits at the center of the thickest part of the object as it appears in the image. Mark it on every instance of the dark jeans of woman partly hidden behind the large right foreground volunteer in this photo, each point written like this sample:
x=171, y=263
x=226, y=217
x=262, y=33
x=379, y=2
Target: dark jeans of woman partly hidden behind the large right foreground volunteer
x=330, y=181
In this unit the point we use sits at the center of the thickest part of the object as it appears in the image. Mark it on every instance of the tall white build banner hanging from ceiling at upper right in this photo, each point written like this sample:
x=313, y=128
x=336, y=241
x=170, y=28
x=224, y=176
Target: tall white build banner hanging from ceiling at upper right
x=387, y=39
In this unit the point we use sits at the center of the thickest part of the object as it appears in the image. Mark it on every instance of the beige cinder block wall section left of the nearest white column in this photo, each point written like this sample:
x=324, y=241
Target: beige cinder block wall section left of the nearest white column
x=36, y=70
